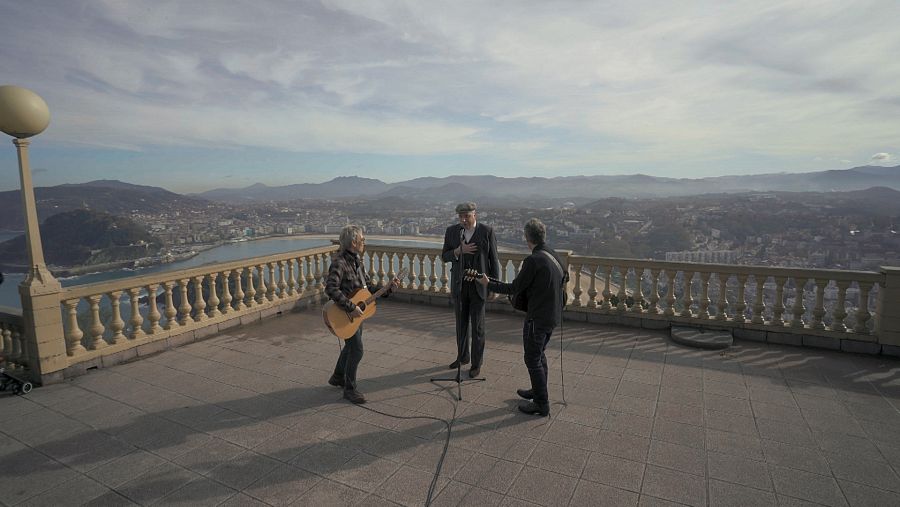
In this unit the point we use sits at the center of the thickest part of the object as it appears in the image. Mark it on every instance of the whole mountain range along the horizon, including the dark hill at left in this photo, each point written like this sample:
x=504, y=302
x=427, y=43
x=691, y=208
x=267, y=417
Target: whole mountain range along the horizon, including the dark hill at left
x=119, y=198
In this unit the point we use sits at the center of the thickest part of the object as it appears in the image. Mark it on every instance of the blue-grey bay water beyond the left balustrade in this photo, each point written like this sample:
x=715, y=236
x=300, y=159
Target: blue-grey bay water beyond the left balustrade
x=9, y=294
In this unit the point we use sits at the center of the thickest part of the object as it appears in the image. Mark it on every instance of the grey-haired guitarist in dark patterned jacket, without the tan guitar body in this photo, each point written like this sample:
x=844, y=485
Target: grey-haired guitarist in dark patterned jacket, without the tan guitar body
x=346, y=276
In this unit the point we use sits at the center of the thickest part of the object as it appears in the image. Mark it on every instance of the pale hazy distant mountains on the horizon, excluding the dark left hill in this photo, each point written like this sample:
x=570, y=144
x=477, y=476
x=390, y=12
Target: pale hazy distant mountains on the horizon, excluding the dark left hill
x=573, y=188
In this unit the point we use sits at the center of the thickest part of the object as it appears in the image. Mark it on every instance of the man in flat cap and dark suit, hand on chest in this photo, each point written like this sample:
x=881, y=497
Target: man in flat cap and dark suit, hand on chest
x=469, y=245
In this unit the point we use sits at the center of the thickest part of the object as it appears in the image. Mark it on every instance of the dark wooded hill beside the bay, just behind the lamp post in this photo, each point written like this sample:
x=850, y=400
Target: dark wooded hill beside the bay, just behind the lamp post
x=84, y=237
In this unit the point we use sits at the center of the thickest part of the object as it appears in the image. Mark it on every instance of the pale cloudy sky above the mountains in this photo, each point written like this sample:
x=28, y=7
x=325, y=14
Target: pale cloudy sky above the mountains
x=196, y=95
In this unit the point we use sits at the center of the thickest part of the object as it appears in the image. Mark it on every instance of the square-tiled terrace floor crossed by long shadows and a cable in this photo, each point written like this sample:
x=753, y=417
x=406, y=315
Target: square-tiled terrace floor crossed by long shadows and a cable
x=246, y=418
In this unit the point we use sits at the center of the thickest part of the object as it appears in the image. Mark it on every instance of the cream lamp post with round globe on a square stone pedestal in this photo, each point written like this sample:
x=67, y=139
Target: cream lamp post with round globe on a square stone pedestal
x=24, y=114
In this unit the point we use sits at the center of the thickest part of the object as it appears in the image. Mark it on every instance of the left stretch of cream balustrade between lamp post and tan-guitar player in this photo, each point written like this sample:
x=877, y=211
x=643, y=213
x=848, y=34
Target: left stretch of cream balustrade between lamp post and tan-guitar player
x=198, y=301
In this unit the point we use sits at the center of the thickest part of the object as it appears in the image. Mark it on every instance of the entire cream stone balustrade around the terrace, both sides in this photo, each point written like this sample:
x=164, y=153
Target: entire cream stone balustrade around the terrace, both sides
x=106, y=323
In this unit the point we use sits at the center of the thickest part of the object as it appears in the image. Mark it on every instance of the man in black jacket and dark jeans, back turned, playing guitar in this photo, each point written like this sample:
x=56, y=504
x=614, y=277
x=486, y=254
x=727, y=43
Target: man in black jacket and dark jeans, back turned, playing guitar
x=542, y=279
